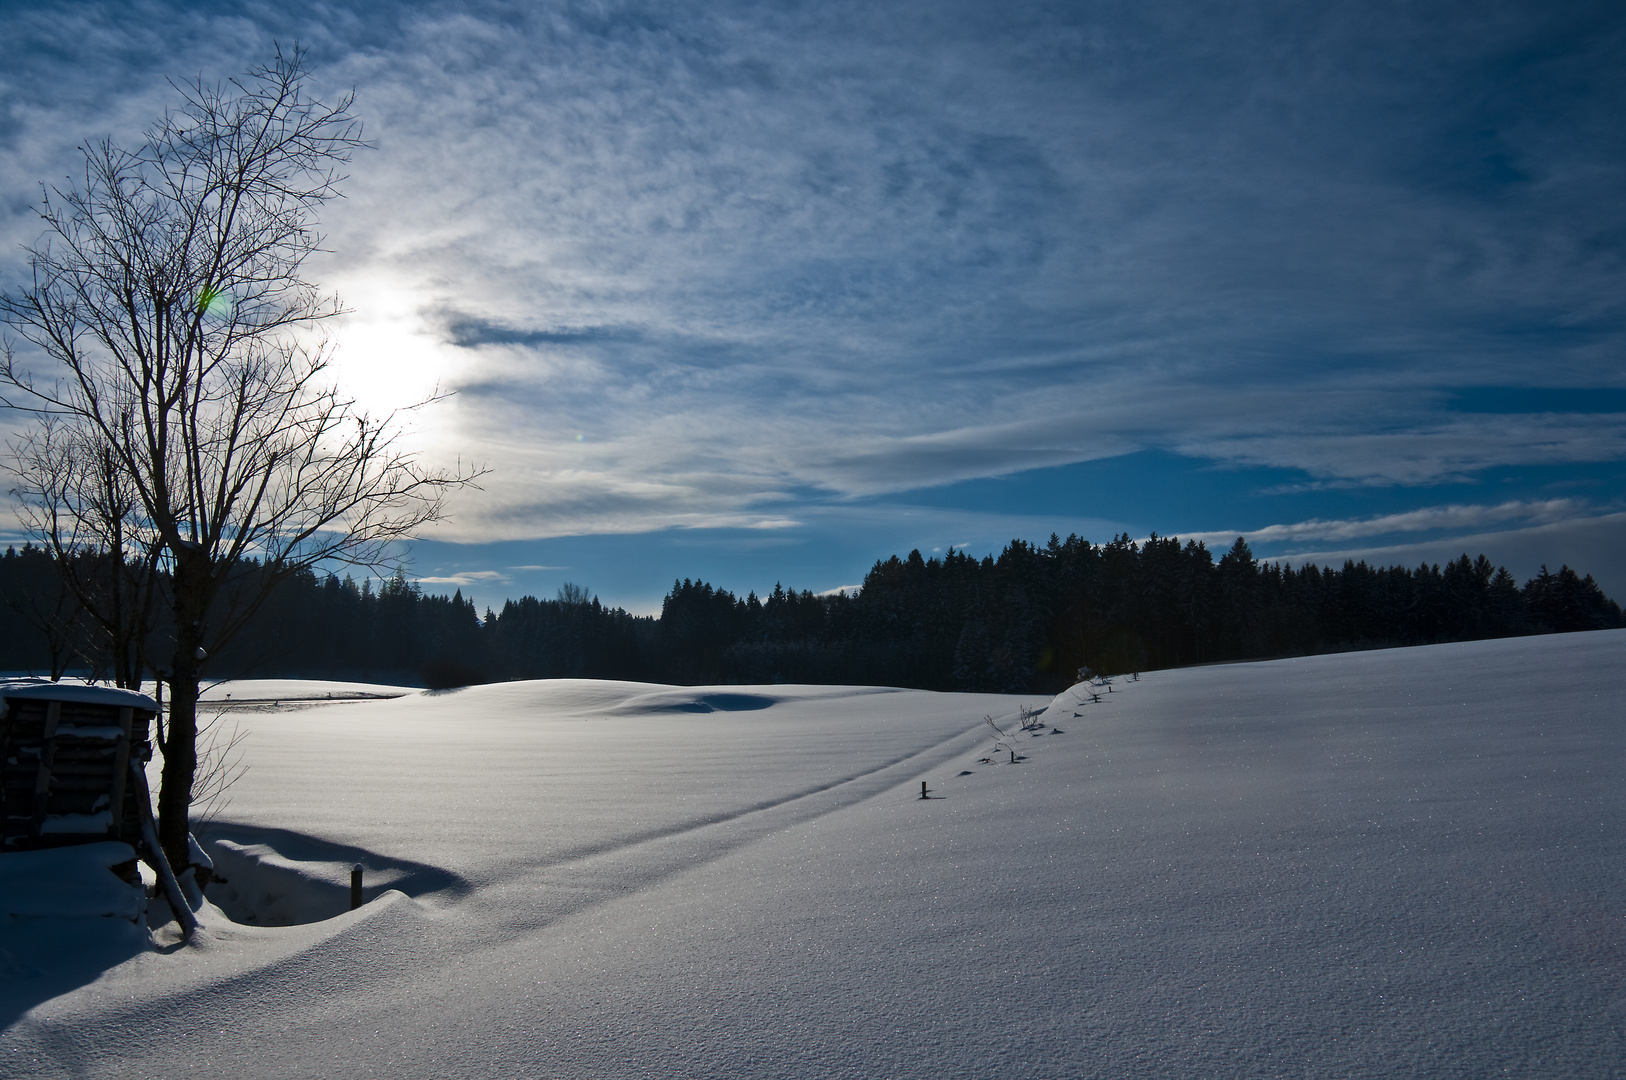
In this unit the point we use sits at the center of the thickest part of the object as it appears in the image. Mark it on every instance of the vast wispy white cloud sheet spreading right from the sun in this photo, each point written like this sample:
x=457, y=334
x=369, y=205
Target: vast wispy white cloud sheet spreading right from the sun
x=734, y=266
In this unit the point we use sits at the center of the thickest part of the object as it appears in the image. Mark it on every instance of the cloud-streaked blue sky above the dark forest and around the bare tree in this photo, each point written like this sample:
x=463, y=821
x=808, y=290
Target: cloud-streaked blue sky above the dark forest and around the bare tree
x=765, y=292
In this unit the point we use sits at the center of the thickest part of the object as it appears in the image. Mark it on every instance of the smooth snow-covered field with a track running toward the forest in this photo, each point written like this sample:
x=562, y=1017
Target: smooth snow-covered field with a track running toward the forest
x=1404, y=863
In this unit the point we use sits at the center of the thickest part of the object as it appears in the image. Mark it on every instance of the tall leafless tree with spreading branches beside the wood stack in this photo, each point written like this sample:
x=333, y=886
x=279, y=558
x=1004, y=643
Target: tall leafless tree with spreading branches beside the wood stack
x=180, y=357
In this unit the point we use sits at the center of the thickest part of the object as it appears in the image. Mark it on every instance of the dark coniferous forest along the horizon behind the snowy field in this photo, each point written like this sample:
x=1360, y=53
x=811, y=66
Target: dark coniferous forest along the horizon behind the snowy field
x=1024, y=622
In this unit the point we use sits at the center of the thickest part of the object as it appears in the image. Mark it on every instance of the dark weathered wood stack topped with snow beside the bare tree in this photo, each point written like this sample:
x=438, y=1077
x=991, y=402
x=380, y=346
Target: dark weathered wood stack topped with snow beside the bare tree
x=66, y=756
